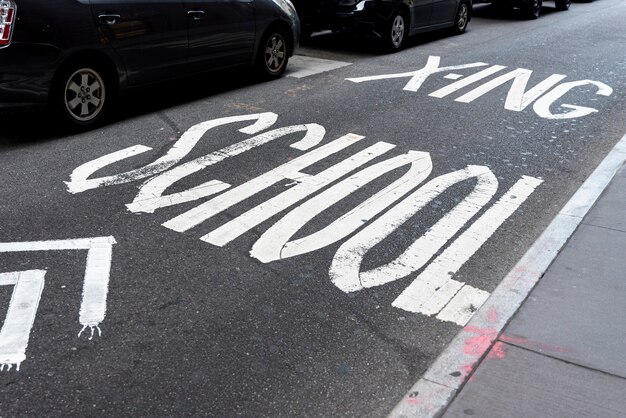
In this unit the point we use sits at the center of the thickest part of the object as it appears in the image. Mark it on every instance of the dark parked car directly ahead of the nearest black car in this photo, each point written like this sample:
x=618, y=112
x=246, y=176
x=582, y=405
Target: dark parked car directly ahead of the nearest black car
x=390, y=20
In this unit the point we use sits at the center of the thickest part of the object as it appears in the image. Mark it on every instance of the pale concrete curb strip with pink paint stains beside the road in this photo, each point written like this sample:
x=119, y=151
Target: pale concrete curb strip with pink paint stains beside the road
x=438, y=386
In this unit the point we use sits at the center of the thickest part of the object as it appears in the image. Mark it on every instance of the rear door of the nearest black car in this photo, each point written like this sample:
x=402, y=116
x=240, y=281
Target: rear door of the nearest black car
x=150, y=36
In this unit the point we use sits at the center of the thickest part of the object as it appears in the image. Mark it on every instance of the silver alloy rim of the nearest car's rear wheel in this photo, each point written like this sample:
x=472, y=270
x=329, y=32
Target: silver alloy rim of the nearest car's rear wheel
x=84, y=95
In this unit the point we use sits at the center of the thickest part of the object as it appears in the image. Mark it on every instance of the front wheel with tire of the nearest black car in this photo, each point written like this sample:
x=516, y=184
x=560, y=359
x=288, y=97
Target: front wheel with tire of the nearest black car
x=273, y=54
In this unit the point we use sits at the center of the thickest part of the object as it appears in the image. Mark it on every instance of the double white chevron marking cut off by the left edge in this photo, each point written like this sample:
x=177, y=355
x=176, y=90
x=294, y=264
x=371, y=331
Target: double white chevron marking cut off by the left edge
x=29, y=285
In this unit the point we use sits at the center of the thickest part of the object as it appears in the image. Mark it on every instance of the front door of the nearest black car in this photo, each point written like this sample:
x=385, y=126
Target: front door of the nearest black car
x=221, y=33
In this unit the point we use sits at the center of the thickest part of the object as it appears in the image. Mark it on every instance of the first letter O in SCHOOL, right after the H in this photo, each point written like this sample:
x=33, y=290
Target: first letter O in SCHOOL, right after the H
x=273, y=245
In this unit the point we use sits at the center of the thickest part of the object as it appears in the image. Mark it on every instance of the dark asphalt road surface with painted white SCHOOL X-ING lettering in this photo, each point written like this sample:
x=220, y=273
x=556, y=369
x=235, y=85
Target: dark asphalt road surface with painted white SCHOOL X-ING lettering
x=190, y=258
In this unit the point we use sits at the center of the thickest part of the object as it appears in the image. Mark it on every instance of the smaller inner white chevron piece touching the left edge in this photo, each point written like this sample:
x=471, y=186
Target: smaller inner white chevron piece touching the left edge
x=20, y=317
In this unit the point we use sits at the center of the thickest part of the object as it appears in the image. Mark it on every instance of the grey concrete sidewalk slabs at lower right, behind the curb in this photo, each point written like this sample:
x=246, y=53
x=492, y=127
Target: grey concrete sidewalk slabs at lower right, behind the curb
x=564, y=352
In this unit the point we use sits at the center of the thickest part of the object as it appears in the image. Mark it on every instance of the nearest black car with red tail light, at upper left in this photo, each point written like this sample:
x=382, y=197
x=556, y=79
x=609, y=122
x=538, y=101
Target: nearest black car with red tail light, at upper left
x=77, y=56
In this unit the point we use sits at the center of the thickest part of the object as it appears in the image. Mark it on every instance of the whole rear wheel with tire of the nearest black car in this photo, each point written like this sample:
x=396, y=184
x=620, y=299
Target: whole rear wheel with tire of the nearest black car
x=82, y=95
